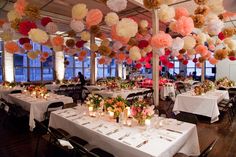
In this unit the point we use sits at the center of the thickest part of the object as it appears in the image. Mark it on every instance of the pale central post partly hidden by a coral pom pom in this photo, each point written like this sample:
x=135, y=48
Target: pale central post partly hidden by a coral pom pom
x=155, y=68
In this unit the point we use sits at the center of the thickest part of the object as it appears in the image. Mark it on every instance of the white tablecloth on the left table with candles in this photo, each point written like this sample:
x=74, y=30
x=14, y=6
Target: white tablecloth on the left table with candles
x=37, y=107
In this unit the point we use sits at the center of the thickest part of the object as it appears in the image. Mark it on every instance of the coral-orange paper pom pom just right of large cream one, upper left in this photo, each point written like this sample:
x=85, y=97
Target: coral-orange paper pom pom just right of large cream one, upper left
x=94, y=17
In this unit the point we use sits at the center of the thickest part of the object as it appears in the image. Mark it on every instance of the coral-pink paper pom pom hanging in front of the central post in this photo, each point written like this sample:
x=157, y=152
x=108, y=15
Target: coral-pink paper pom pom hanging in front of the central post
x=161, y=40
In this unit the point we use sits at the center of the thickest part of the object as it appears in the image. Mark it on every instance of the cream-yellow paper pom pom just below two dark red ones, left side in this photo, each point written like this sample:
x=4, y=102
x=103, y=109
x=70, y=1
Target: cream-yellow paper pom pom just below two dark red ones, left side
x=38, y=35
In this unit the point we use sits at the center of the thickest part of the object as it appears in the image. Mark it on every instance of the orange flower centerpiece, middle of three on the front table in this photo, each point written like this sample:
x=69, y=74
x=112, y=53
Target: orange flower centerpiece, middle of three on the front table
x=116, y=105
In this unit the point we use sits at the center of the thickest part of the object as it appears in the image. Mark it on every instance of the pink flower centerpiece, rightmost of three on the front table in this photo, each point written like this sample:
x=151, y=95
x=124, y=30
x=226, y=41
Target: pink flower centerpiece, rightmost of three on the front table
x=141, y=111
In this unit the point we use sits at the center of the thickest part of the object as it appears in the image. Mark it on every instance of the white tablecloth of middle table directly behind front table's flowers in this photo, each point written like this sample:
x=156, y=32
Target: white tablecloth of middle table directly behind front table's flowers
x=122, y=93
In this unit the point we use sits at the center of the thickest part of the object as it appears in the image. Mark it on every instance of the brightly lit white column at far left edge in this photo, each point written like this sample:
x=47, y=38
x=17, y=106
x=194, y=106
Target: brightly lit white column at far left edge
x=8, y=67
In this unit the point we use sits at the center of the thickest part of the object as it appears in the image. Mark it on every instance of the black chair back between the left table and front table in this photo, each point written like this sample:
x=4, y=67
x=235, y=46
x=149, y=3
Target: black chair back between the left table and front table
x=52, y=107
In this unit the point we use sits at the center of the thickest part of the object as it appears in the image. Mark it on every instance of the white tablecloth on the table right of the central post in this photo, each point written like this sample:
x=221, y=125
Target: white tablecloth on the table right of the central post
x=205, y=105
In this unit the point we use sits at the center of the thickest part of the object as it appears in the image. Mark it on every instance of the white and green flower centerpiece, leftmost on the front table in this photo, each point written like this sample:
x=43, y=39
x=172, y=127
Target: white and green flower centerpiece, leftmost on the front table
x=94, y=102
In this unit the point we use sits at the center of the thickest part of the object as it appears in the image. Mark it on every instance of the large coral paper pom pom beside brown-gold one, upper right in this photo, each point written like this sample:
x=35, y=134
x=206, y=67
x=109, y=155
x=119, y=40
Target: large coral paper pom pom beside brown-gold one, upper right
x=184, y=25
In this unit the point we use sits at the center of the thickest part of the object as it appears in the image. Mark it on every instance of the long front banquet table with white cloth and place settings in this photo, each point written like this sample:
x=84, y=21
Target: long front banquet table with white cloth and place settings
x=121, y=141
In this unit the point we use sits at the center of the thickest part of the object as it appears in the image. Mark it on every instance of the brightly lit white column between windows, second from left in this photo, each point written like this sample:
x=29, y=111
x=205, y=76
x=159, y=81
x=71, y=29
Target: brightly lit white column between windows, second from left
x=59, y=65
